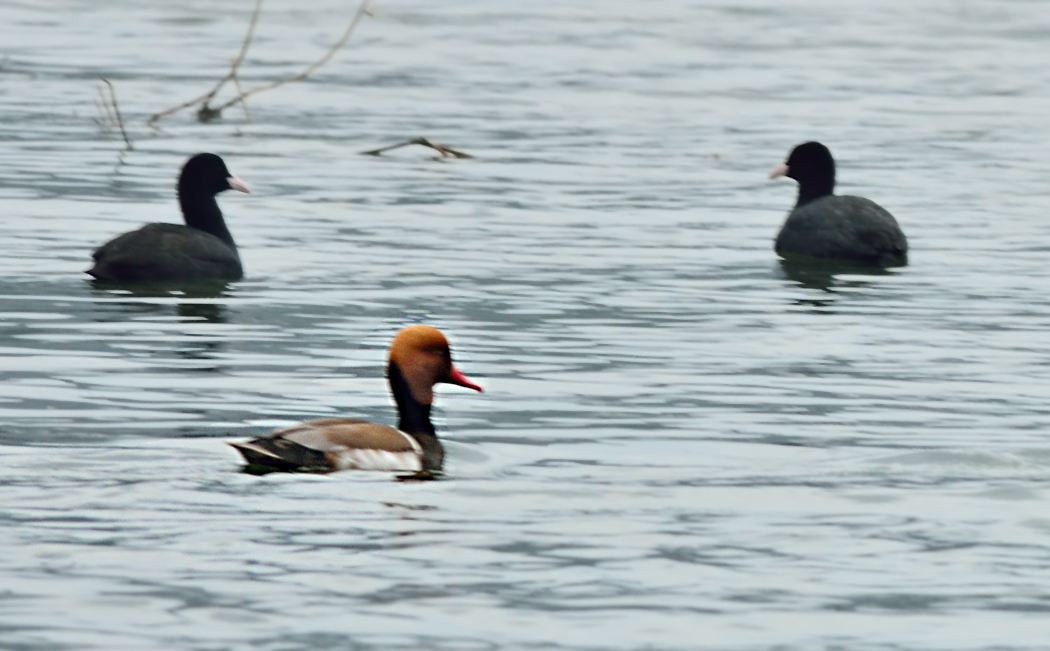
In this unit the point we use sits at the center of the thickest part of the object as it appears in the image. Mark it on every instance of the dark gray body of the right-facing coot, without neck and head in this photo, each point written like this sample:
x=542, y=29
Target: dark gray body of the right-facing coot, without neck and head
x=166, y=253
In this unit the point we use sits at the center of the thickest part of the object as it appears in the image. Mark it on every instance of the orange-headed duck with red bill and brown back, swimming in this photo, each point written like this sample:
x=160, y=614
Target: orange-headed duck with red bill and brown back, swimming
x=419, y=359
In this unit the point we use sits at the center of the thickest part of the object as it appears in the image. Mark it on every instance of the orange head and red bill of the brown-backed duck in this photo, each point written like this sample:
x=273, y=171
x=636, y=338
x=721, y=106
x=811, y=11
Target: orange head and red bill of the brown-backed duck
x=423, y=355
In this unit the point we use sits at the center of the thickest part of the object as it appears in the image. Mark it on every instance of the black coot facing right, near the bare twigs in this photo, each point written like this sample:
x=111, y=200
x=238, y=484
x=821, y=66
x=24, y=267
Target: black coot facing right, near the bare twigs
x=203, y=250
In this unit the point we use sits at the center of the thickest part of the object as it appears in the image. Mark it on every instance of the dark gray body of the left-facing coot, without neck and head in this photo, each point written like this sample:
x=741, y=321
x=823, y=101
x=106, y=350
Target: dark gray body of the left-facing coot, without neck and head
x=843, y=227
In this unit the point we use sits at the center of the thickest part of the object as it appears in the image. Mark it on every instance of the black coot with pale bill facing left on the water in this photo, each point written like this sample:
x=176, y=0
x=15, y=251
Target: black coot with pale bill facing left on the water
x=825, y=225
